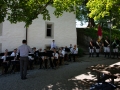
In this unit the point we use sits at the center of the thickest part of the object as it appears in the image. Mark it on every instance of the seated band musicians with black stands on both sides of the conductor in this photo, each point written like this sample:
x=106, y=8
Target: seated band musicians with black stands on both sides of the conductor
x=43, y=58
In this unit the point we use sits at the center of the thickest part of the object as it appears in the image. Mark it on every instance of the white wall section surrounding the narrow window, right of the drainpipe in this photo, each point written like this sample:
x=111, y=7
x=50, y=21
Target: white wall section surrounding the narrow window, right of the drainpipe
x=64, y=31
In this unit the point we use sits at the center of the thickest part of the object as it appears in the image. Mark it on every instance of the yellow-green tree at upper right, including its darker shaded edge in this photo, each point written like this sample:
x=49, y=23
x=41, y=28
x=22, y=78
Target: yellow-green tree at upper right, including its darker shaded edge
x=102, y=9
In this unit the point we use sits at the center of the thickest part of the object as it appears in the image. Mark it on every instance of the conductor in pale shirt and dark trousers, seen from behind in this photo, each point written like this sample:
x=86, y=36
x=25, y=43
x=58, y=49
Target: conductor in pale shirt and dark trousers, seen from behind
x=24, y=51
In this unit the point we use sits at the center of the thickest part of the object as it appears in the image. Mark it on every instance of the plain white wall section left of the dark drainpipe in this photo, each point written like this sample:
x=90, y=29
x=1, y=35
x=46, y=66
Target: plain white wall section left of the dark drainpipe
x=12, y=35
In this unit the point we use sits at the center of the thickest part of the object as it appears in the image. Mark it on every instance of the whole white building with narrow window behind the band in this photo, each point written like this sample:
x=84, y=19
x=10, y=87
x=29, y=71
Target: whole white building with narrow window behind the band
x=40, y=33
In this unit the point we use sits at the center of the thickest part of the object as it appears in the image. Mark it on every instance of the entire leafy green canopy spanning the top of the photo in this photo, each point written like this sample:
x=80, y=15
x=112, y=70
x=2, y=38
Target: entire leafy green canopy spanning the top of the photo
x=28, y=10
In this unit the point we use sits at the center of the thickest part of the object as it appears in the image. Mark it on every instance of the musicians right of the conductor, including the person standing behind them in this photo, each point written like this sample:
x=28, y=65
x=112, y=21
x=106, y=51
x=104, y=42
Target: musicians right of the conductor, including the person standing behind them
x=54, y=56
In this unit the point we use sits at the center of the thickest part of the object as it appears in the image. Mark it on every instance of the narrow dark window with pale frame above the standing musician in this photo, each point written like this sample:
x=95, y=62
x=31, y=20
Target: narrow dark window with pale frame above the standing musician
x=49, y=30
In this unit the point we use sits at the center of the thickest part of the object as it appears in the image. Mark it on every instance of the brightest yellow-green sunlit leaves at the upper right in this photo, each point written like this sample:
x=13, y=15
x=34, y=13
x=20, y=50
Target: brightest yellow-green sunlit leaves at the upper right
x=99, y=8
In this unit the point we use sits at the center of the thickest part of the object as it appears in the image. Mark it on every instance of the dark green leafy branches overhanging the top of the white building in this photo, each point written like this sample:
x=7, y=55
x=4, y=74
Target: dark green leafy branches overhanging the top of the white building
x=28, y=10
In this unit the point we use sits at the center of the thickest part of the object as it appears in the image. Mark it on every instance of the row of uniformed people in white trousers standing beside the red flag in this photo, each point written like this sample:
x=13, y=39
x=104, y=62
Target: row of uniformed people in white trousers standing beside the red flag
x=110, y=49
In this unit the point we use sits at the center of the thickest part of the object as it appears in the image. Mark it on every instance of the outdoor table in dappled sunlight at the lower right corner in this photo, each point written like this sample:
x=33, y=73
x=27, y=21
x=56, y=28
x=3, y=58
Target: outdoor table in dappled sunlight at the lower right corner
x=106, y=71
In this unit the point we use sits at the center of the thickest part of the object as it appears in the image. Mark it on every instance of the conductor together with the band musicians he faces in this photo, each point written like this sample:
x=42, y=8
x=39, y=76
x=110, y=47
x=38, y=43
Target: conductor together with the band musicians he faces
x=43, y=57
